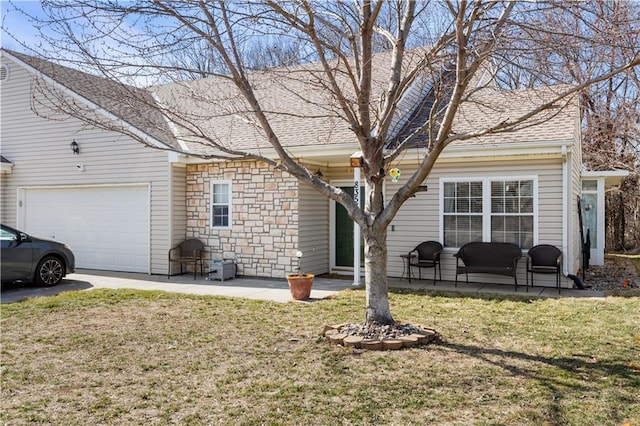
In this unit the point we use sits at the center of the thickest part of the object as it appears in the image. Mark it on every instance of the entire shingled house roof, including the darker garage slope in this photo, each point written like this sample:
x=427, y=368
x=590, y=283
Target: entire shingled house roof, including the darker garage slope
x=301, y=116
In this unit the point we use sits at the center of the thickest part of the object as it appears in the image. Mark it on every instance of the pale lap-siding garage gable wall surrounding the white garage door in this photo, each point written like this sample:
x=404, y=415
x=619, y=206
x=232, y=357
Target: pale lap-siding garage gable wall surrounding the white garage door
x=40, y=150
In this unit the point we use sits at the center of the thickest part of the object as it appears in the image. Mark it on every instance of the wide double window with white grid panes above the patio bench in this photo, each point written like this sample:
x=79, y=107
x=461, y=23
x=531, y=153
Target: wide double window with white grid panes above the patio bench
x=489, y=209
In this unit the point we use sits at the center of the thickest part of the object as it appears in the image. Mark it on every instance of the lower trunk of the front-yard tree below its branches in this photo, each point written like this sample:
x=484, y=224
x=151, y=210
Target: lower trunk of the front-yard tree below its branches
x=375, y=268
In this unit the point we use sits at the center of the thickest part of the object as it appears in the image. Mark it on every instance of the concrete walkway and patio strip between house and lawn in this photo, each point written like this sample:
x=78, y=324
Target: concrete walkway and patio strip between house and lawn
x=256, y=288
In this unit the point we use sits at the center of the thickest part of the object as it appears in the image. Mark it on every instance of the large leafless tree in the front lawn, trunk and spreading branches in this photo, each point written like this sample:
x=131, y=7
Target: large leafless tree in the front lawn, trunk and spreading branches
x=359, y=60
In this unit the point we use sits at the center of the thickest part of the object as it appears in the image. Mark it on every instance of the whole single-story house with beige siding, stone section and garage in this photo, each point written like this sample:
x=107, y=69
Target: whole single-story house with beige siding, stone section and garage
x=522, y=185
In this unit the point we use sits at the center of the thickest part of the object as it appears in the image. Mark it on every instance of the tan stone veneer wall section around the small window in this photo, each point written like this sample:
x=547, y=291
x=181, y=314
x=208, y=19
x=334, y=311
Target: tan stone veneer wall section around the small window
x=263, y=238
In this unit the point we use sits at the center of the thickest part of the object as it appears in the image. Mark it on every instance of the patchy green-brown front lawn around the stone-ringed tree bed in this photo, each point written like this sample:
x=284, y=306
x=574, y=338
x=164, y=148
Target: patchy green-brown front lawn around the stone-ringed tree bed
x=131, y=357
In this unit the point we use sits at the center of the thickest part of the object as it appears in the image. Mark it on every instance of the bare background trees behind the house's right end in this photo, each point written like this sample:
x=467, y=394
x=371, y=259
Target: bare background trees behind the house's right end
x=599, y=36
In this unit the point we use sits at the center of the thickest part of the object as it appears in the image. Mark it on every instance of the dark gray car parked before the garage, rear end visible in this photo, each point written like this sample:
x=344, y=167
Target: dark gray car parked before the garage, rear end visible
x=30, y=259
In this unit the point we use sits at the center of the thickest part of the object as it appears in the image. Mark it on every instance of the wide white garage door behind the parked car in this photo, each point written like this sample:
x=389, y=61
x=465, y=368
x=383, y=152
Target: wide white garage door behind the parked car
x=107, y=227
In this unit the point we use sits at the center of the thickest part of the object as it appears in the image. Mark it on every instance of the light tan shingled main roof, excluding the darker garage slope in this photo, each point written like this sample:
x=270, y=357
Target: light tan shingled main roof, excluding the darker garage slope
x=304, y=117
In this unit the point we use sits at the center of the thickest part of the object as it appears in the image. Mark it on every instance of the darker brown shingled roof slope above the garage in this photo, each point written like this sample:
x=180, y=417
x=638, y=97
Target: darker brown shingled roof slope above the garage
x=133, y=105
